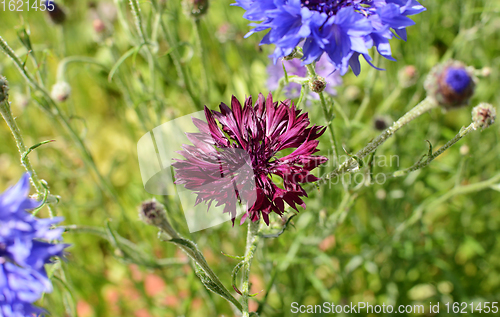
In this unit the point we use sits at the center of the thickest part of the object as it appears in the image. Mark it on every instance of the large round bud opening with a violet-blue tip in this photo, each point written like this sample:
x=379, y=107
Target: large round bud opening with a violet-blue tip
x=451, y=84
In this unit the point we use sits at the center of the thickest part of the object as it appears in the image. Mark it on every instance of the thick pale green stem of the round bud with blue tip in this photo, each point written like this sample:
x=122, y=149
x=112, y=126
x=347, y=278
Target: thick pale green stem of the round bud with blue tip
x=424, y=106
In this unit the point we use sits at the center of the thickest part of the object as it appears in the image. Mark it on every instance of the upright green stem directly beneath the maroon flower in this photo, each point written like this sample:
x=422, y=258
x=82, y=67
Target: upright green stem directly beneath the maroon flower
x=252, y=241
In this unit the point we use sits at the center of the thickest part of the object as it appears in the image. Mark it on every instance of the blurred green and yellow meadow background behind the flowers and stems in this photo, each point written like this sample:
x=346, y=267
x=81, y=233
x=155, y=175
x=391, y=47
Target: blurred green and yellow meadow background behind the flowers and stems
x=345, y=247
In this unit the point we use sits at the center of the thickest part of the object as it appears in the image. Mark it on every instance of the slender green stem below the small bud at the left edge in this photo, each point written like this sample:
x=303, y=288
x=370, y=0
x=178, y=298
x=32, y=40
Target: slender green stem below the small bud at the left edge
x=25, y=161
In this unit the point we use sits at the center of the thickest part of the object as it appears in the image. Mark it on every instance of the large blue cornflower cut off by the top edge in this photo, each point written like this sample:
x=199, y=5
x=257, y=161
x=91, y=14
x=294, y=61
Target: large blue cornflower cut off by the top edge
x=343, y=29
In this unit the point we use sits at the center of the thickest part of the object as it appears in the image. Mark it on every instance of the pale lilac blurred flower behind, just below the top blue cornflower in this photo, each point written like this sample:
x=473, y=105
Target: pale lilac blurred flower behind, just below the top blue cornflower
x=294, y=67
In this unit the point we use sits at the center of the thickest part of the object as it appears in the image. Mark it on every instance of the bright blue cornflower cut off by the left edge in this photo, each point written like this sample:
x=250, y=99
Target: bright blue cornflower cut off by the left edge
x=23, y=252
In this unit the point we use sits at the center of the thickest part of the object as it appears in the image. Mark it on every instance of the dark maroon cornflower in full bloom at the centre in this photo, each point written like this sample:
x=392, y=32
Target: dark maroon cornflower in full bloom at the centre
x=251, y=135
